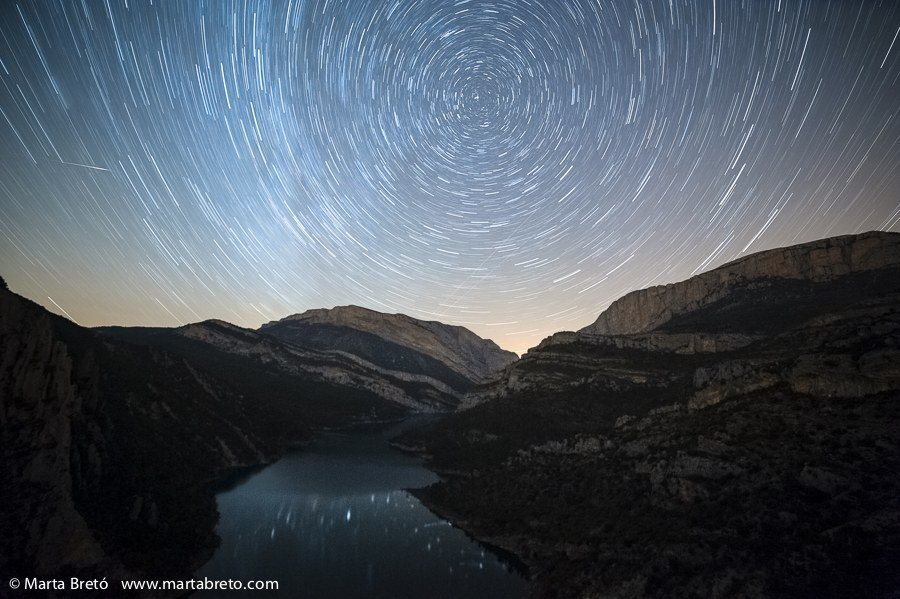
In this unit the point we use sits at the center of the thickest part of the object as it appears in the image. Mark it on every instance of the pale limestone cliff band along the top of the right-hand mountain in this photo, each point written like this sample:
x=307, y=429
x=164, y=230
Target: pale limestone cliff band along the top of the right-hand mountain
x=824, y=260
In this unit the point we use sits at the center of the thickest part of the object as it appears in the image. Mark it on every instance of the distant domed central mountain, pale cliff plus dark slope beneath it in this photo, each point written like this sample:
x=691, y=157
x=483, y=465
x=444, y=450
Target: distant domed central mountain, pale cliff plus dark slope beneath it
x=452, y=354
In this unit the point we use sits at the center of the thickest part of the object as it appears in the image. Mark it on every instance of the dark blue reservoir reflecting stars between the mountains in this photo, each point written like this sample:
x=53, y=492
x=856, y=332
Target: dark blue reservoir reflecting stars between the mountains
x=333, y=520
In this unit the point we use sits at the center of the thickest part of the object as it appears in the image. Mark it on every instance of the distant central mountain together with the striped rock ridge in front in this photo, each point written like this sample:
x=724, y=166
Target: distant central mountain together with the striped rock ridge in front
x=417, y=365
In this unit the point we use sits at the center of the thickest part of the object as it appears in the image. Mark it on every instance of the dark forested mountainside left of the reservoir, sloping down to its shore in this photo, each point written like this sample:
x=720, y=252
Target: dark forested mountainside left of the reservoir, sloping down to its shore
x=107, y=444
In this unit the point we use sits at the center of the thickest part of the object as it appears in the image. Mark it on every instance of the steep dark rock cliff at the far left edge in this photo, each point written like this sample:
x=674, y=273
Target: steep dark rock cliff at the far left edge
x=42, y=405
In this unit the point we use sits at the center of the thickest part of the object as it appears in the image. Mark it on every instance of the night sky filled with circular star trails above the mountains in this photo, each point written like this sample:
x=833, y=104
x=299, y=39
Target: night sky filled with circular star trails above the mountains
x=512, y=166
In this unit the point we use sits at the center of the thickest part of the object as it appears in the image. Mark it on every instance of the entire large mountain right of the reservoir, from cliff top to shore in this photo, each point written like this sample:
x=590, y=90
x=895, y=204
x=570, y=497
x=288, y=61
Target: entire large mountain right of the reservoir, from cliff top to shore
x=735, y=434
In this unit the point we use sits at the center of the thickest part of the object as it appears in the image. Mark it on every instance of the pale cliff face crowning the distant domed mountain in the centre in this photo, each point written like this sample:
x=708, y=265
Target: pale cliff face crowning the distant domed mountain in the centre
x=456, y=348
